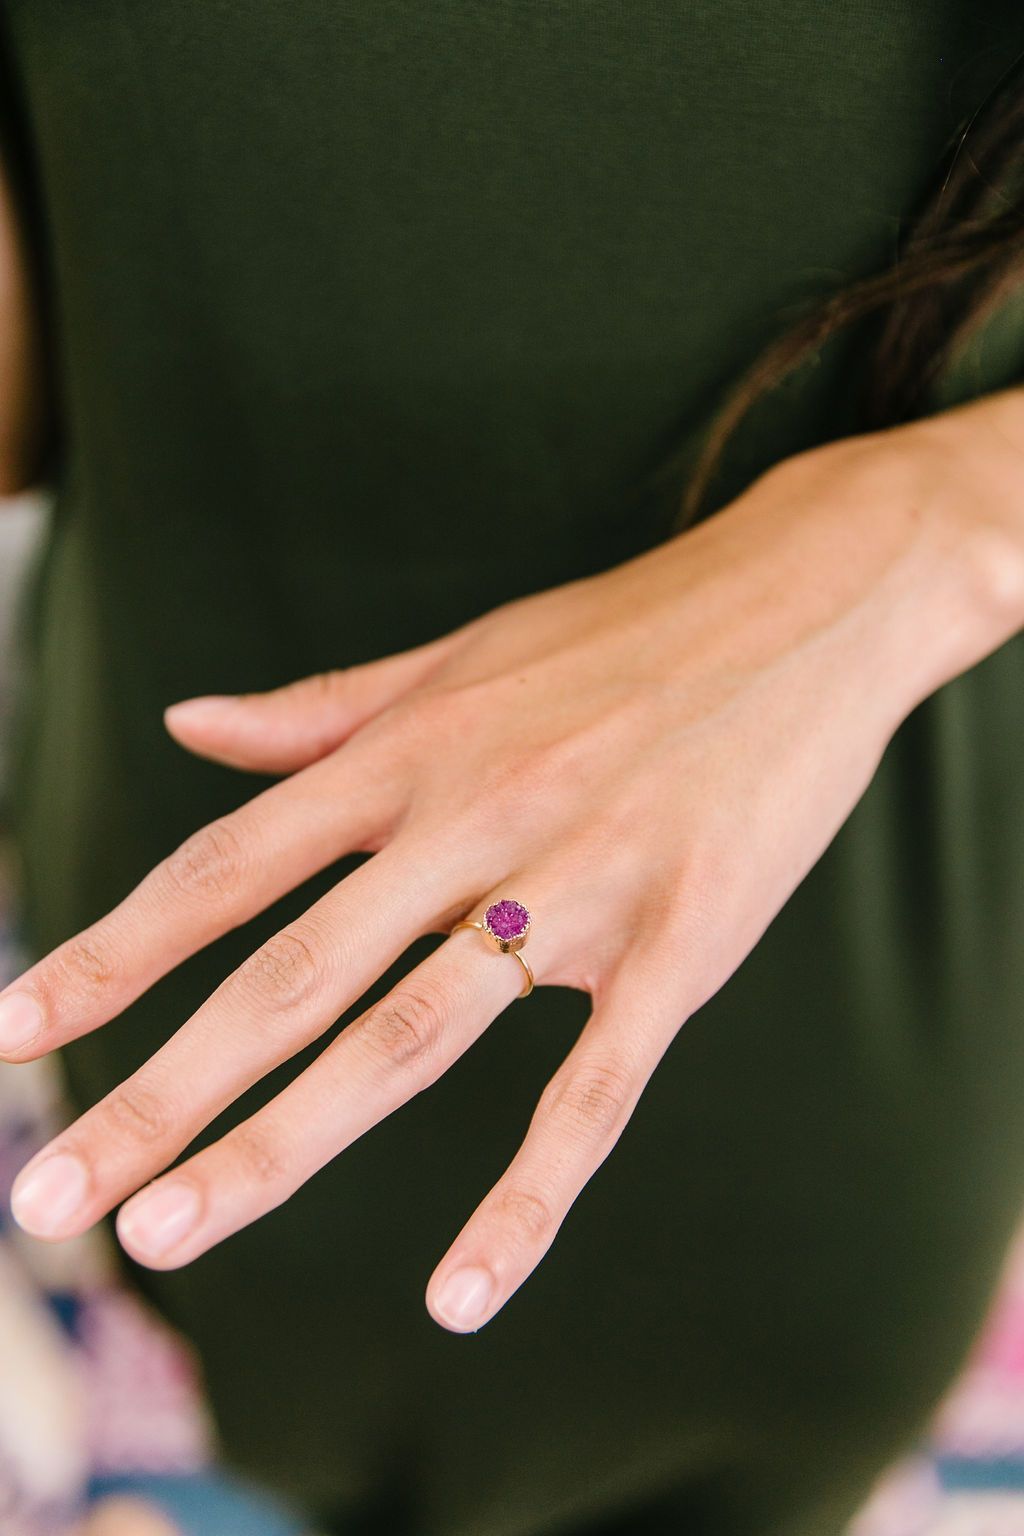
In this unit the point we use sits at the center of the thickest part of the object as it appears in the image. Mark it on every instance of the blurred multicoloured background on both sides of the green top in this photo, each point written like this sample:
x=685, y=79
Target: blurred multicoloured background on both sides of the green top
x=104, y=1431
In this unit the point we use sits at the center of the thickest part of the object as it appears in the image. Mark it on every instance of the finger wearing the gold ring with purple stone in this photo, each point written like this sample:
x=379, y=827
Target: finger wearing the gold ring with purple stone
x=383, y=1059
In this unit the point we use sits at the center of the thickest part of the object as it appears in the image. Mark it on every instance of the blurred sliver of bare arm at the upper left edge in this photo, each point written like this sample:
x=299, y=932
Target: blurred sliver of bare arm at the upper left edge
x=21, y=359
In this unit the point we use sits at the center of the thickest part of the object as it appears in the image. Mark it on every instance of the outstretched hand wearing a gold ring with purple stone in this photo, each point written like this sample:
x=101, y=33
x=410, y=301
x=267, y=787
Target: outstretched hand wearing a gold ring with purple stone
x=650, y=760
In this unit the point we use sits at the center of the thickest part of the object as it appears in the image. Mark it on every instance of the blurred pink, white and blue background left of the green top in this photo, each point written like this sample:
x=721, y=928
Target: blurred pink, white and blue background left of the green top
x=104, y=1428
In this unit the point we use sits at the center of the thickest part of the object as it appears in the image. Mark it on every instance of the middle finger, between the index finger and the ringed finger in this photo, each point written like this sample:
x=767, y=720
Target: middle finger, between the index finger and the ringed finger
x=276, y=1004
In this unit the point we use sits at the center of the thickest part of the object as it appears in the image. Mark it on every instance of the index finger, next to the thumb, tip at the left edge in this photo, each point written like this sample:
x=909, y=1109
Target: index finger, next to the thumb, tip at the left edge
x=217, y=879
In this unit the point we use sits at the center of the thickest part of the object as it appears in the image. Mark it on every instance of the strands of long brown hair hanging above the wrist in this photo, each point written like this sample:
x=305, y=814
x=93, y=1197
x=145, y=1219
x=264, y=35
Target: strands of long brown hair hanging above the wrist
x=965, y=250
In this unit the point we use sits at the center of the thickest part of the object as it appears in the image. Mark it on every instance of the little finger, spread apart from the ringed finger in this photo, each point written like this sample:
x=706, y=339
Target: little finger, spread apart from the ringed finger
x=580, y=1117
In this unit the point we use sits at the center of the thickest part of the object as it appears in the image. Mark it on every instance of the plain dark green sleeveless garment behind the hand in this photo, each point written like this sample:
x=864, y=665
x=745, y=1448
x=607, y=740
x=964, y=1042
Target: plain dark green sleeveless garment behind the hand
x=339, y=294
